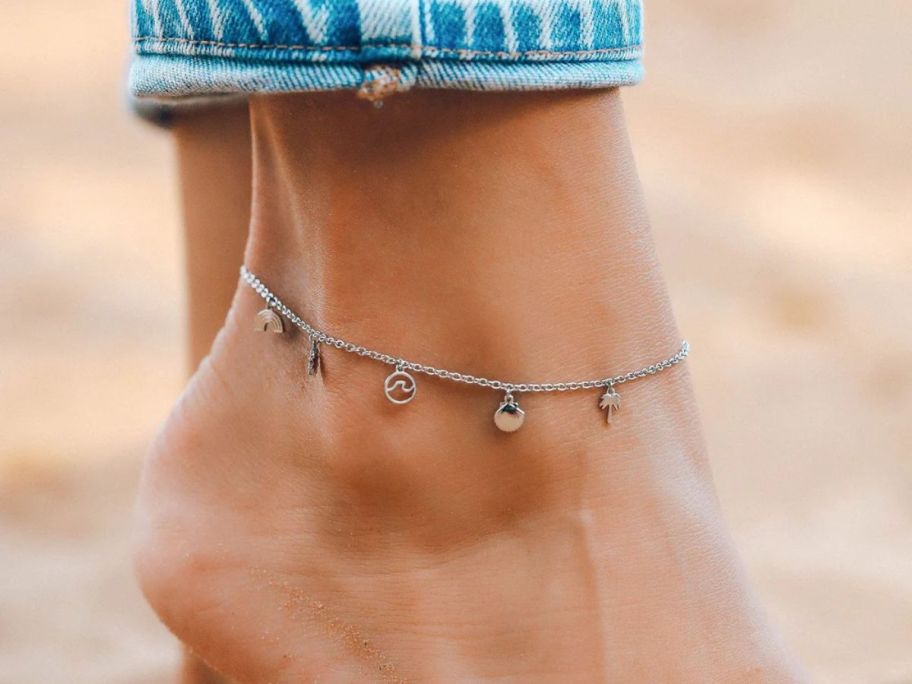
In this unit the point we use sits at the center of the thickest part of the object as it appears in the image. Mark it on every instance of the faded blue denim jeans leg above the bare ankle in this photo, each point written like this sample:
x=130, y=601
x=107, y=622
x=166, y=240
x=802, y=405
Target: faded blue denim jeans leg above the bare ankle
x=199, y=47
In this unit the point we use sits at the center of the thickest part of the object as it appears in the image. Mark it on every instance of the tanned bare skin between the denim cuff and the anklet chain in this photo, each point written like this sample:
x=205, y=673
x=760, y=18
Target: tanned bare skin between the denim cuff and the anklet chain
x=492, y=250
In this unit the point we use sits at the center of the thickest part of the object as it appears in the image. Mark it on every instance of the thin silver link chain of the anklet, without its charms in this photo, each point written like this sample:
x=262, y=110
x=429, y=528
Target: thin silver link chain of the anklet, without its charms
x=274, y=302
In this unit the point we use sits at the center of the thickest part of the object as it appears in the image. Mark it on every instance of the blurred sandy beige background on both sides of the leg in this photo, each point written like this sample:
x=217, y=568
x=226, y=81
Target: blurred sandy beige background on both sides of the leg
x=775, y=145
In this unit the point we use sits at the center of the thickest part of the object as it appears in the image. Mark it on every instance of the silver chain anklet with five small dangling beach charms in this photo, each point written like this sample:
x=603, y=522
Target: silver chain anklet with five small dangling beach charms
x=400, y=386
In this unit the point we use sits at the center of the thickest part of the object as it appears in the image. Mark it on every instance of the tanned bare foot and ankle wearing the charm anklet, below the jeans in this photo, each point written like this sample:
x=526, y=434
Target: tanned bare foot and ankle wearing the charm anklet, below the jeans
x=294, y=528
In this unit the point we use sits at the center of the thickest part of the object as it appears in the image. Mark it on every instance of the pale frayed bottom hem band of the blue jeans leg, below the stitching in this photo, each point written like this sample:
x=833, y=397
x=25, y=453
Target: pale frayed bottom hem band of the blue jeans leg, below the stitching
x=178, y=76
